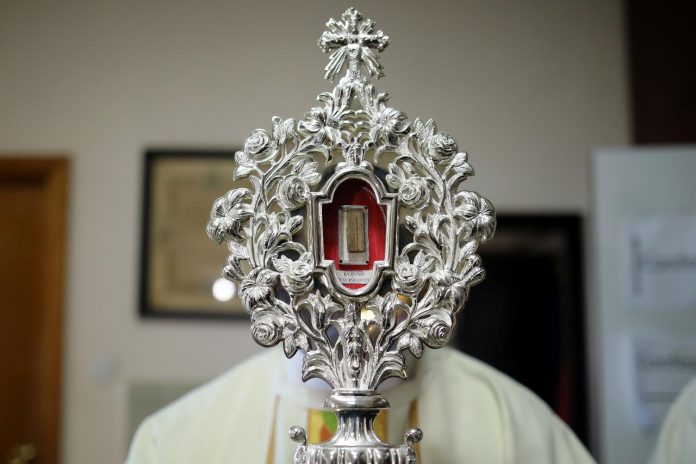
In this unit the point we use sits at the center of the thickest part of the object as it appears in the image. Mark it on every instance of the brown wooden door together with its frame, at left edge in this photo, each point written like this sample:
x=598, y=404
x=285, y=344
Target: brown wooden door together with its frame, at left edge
x=33, y=212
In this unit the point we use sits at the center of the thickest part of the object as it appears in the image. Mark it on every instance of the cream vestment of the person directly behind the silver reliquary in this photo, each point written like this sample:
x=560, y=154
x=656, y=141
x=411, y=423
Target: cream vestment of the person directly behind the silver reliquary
x=469, y=413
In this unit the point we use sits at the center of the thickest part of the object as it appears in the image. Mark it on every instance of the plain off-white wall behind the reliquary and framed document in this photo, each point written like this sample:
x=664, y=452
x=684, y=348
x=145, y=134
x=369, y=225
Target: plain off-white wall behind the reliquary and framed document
x=528, y=88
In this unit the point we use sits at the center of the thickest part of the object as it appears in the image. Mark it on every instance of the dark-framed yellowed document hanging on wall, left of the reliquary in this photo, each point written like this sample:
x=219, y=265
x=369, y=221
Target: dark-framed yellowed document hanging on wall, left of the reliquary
x=180, y=266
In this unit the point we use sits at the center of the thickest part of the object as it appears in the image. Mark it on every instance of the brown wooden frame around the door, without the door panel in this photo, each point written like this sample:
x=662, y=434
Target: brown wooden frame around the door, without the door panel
x=52, y=173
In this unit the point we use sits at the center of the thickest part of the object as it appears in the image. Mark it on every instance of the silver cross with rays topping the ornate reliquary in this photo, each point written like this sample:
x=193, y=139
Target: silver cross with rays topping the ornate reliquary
x=353, y=39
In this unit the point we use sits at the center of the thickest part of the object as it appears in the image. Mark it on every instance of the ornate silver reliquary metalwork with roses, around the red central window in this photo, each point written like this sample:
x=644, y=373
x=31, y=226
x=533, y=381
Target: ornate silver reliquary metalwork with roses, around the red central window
x=352, y=338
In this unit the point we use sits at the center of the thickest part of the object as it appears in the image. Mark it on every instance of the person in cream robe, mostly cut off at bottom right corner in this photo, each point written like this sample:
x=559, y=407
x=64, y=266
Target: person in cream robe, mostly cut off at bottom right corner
x=677, y=441
